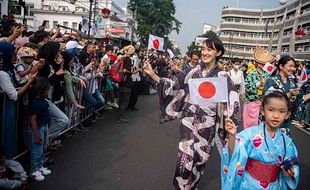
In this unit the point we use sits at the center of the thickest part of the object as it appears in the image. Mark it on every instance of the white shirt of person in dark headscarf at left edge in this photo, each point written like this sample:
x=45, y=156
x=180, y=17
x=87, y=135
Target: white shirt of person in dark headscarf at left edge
x=7, y=86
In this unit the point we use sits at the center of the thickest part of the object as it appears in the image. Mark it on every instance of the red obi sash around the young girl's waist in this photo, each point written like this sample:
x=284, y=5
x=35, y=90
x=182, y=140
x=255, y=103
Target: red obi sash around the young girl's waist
x=261, y=171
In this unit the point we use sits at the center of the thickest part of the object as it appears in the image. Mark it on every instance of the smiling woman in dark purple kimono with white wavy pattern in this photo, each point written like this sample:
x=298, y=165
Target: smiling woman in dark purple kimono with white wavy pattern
x=198, y=123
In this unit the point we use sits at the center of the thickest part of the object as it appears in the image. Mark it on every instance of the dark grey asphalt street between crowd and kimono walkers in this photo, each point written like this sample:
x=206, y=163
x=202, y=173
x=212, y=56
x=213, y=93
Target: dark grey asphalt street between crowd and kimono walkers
x=140, y=155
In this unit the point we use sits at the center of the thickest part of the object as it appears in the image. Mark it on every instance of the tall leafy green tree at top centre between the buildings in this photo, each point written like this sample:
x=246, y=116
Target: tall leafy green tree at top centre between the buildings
x=155, y=17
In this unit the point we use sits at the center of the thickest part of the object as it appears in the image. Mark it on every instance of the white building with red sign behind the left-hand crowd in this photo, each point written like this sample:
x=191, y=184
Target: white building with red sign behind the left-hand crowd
x=70, y=13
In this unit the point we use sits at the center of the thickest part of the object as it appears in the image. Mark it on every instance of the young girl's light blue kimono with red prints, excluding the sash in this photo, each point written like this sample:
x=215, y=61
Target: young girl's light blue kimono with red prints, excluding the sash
x=251, y=144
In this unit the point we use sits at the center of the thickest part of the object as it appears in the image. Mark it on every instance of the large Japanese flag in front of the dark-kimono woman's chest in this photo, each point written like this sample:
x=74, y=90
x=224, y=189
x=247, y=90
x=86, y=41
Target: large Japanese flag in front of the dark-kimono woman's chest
x=205, y=90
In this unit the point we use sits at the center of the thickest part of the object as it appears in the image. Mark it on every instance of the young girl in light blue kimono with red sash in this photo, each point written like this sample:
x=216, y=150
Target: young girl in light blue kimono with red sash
x=261, y=157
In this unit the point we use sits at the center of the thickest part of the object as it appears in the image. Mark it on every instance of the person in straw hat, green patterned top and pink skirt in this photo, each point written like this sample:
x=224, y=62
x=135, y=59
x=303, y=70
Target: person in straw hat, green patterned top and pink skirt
x=254, y=84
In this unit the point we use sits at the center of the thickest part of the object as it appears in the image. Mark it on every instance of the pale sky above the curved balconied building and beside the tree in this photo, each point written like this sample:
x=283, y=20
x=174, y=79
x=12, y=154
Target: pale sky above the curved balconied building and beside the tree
x=194, y=13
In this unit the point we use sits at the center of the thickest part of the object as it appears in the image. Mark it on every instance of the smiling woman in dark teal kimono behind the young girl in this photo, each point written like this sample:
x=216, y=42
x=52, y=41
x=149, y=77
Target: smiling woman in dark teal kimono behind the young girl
x=283, y=82
